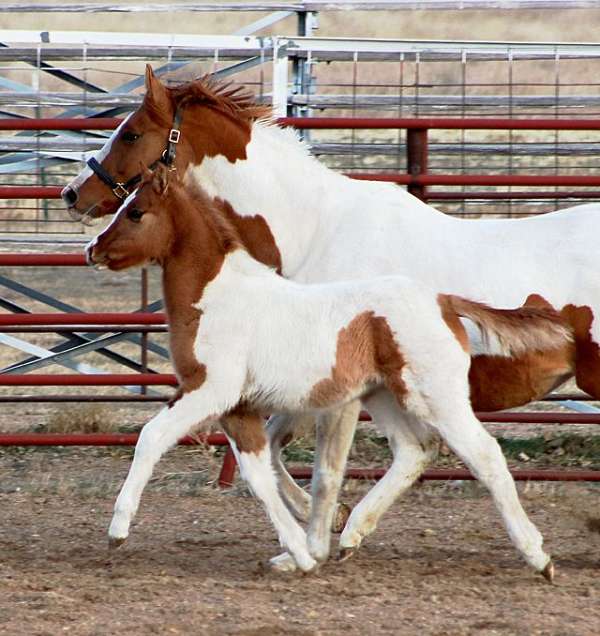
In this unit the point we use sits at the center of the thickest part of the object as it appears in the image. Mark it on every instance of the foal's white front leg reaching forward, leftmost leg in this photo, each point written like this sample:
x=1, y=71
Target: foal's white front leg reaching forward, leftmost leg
x=158, y=435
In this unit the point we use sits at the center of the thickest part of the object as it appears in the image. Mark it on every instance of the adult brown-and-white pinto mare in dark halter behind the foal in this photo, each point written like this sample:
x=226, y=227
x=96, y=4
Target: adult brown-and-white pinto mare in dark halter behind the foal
x=314, y=225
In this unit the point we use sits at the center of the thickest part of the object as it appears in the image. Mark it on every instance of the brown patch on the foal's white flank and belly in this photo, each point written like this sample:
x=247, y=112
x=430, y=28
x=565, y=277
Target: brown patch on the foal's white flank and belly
x=366, y=353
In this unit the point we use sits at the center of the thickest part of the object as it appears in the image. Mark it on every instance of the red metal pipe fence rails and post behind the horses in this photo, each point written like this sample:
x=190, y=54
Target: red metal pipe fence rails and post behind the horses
x=417, y=179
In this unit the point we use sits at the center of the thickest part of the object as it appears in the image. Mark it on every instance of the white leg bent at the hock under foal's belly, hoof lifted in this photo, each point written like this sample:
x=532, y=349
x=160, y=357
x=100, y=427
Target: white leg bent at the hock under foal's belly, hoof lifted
x=414, y=446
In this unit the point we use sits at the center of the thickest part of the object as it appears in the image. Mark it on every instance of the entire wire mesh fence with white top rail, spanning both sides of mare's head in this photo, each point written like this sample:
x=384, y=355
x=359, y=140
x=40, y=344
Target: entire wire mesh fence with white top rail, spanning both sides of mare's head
x=100, y=74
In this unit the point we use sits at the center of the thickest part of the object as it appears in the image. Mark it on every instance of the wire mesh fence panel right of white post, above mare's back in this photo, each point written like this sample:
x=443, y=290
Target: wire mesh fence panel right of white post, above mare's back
x=461, y=79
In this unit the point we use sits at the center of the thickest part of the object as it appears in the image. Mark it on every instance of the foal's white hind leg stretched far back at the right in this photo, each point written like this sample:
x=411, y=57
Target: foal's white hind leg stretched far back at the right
x=466, y=436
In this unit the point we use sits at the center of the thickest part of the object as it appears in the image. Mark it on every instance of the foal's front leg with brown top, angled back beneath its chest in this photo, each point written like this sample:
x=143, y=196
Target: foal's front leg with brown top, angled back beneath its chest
x=248, y=440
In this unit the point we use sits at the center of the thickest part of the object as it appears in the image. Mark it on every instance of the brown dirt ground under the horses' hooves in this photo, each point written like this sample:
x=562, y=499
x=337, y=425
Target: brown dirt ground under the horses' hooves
x=440, y=563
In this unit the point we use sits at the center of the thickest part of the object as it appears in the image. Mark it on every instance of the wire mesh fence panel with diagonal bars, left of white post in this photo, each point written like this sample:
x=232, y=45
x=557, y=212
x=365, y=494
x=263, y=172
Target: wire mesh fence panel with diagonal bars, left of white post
x=62, y=79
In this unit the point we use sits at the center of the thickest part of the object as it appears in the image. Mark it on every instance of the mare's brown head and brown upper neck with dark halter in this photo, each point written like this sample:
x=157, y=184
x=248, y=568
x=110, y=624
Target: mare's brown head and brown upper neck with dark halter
x=177, y=126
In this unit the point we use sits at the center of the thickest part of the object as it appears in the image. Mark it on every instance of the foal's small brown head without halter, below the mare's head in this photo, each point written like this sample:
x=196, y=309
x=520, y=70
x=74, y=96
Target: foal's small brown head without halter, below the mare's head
x=143, y=231
